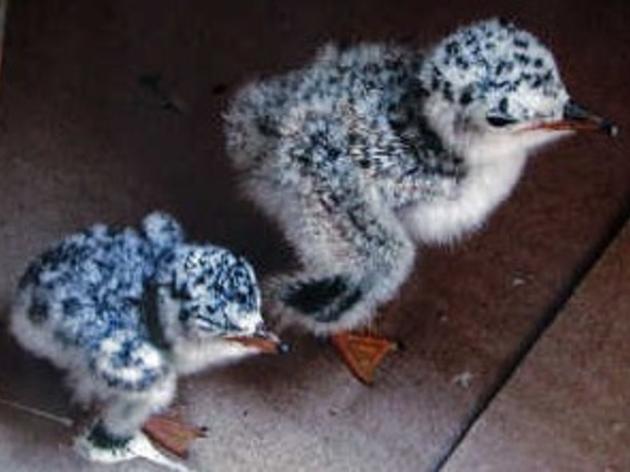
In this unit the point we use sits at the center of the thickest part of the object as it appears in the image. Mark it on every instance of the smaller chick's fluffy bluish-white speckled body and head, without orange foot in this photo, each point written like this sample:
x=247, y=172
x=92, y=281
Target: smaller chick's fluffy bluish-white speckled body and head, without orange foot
x=126, y=312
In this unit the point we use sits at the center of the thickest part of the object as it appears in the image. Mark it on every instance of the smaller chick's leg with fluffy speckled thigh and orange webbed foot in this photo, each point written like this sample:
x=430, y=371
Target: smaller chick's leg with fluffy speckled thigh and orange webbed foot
x=140, y=384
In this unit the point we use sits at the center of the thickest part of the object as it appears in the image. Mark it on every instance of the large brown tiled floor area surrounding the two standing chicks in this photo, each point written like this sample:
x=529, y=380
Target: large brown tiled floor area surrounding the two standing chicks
x=82, y=140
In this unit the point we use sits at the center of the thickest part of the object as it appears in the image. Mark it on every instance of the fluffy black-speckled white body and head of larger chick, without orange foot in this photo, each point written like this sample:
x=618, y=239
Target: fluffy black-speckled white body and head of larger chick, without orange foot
x=369, y=151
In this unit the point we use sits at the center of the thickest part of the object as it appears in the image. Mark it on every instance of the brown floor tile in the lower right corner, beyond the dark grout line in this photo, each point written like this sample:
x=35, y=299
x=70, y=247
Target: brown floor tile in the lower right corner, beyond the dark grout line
x=567, y=408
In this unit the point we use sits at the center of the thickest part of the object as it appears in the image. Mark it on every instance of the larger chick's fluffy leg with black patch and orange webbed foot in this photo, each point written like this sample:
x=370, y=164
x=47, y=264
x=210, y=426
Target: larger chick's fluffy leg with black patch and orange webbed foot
x=355, y=255
